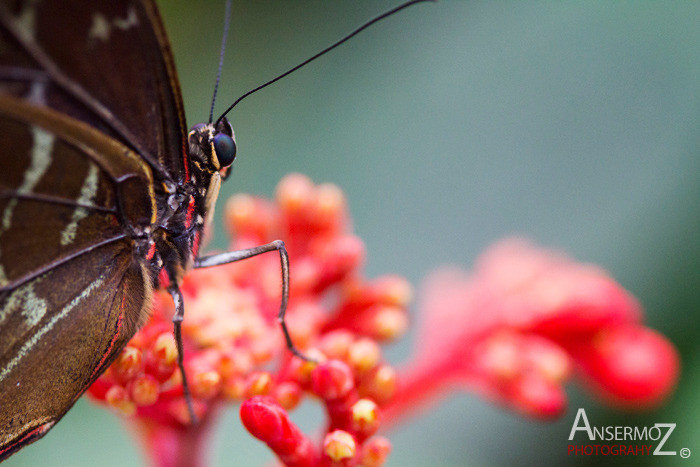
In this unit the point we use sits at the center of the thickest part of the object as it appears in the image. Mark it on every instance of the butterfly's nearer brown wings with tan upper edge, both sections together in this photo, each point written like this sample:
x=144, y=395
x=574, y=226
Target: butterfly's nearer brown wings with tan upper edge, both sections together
x=73, y=287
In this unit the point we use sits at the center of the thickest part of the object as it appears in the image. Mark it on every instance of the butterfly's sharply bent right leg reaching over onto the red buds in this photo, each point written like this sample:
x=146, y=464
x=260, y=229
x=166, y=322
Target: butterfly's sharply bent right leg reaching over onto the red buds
x=233, y=256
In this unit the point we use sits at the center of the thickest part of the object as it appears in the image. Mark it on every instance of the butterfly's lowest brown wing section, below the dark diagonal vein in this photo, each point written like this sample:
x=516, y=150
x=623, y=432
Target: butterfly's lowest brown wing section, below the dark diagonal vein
x=62, y=334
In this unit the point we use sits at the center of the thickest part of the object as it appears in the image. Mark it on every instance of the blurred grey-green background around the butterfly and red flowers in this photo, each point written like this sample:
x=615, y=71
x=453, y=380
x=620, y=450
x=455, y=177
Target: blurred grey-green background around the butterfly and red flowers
x=448, y=127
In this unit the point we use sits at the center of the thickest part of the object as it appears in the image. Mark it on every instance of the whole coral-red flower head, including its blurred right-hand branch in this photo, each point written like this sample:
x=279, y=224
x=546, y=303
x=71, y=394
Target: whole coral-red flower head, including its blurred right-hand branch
x=513, y=331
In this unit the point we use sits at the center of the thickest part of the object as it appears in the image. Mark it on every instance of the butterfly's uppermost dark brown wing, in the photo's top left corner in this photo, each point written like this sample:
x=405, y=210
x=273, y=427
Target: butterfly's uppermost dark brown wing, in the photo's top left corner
x=106, y=63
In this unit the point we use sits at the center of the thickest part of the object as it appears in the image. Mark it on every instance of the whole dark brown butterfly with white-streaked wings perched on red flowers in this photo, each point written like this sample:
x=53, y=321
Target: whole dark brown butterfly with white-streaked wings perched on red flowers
x=104, y=196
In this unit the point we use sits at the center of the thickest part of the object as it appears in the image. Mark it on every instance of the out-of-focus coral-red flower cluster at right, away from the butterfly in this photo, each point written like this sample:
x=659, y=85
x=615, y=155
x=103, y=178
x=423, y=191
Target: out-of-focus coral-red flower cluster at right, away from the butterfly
x=516, y=328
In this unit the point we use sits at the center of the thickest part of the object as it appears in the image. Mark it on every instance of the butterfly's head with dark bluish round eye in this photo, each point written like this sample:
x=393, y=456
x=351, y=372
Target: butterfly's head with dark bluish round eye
x=212, y=147
